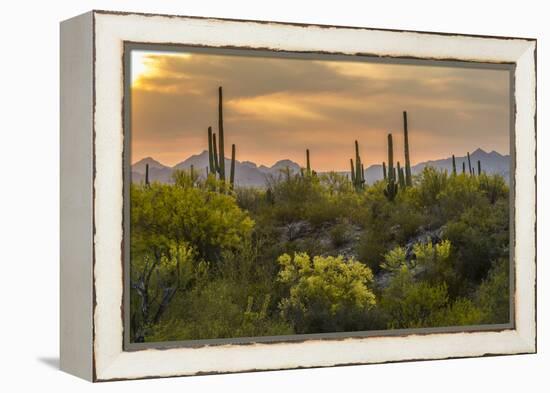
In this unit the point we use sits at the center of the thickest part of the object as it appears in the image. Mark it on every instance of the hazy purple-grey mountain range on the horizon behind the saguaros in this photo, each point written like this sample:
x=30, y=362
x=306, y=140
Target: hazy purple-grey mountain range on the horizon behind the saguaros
x=250, y=174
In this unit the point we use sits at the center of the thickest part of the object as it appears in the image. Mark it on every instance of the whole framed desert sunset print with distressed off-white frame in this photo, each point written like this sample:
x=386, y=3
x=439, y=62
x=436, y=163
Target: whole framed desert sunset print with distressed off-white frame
x=246, y=195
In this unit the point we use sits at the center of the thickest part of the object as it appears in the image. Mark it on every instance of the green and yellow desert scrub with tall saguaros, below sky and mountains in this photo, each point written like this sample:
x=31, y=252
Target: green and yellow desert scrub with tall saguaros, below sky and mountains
x=317, y=252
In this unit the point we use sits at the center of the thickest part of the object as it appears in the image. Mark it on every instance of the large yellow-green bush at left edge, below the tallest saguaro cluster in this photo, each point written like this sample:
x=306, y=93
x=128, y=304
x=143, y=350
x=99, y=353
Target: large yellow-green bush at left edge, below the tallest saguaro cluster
x=208, y=220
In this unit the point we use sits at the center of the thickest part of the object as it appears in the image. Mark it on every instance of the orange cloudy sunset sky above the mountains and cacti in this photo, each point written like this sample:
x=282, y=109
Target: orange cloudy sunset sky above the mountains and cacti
x=276, y=108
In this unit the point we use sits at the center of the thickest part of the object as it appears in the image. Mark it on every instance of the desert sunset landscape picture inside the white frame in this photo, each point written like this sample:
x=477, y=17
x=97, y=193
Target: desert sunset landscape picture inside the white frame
x=280, y=195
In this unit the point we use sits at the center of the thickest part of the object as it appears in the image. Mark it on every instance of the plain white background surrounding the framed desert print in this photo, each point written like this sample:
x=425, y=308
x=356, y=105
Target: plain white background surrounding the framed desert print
x=29, y=183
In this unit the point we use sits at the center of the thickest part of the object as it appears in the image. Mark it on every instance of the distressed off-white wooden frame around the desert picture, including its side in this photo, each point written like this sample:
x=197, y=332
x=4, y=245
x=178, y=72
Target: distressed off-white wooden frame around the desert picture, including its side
x=92, y=161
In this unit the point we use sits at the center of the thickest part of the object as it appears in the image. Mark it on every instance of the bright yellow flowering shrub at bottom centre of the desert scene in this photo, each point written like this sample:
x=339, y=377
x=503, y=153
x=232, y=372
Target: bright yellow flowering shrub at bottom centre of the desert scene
x=326, y=294
